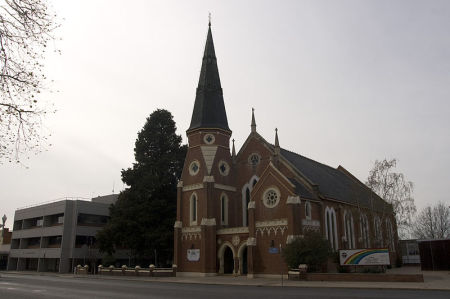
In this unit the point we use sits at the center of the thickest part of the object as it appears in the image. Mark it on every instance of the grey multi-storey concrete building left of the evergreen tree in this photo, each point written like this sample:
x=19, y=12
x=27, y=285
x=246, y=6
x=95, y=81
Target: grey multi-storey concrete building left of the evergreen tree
x=58, y=236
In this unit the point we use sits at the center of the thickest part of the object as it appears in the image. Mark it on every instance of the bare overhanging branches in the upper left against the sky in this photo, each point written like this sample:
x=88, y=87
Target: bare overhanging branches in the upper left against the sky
x=26, y=28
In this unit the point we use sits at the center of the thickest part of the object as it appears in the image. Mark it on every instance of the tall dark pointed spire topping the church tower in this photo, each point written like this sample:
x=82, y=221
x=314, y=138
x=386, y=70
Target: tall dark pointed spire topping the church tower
x=209, y=108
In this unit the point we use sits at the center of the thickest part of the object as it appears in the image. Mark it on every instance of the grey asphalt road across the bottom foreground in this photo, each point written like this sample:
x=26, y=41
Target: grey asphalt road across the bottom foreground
x=32, y=286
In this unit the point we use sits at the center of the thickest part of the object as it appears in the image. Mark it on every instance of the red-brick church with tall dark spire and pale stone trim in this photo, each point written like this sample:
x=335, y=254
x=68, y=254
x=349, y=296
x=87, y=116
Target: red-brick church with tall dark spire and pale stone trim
x=235, y=210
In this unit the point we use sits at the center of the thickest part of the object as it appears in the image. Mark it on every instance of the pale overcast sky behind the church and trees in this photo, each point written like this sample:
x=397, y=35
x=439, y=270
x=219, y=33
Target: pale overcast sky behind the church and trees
x=345, y=82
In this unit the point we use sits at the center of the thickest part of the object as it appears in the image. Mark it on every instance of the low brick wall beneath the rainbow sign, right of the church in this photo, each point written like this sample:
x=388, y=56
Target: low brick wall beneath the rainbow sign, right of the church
x=376, y=277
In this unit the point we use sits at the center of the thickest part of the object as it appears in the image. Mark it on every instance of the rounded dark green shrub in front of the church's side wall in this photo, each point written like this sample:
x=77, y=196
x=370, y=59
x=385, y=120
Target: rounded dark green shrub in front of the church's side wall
x=312, y=250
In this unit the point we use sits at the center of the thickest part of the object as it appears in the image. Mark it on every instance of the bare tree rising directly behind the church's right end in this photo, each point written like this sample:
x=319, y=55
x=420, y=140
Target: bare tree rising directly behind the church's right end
x=396, y=190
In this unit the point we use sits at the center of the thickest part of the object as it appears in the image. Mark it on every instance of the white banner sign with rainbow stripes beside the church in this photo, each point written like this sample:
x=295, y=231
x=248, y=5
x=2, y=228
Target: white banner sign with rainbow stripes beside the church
x=364, y=257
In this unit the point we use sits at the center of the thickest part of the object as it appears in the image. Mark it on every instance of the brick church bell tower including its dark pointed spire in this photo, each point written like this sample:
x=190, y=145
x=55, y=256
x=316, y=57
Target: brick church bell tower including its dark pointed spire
x=206, y=190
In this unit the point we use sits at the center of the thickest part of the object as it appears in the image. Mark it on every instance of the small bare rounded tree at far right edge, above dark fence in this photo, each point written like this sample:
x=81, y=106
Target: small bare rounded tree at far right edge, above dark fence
x=433, y=222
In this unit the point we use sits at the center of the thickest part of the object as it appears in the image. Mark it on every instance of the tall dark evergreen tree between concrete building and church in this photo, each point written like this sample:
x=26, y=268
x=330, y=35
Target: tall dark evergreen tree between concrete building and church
x=142, y=218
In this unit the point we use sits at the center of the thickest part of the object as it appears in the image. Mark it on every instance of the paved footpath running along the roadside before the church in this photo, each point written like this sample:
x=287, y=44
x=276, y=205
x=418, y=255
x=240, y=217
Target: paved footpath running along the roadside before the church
x=433, y=280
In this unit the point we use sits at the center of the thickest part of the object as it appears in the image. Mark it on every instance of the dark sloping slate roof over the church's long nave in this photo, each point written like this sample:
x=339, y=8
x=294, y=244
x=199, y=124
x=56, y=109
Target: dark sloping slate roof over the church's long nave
x=333, y=183
